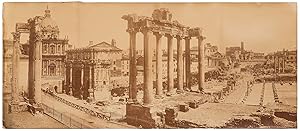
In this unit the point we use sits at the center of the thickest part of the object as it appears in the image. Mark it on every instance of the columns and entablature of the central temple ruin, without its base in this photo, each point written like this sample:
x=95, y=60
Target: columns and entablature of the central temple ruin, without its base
x=159, y=25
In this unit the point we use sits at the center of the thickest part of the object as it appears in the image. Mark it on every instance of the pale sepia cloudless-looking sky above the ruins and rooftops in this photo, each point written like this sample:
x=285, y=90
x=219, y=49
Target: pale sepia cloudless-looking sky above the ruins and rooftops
x=262, y=27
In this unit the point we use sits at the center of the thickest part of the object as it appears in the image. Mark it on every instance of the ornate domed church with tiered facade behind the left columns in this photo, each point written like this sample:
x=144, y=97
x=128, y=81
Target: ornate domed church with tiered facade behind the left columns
x=53, y=53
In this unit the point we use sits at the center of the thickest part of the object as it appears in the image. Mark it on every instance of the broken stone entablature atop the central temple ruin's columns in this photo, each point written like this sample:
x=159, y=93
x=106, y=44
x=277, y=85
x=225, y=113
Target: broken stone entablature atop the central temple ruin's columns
x=160, y=22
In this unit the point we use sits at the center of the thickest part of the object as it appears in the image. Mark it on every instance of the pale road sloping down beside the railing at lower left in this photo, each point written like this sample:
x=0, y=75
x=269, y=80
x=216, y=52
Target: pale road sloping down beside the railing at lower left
x=80, y=116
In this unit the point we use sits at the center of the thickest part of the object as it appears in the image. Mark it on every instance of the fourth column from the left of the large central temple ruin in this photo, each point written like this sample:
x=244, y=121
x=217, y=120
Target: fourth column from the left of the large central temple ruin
x=170, y=65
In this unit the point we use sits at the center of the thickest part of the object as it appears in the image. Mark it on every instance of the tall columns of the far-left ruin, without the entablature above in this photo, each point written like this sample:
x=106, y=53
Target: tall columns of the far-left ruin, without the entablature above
x=35, y=68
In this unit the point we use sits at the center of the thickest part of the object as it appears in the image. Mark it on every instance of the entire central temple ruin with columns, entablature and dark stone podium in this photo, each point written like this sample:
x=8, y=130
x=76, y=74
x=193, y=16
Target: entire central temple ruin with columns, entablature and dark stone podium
x=160, y=25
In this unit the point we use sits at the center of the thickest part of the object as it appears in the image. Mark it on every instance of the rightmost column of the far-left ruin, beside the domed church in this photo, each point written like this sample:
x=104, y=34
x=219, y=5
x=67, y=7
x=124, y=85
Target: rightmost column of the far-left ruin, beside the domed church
x=38, y=68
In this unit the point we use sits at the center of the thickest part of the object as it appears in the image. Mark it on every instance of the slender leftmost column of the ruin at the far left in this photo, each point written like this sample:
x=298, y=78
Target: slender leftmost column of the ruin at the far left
x=15, y=68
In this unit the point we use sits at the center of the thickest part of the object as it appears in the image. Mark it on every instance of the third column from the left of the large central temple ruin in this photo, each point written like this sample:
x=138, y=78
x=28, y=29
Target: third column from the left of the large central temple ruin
x=159, y=86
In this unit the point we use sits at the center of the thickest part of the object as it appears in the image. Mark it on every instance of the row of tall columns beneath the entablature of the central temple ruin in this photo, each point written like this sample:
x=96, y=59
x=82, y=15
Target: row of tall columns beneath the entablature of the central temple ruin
x=148, y=78
